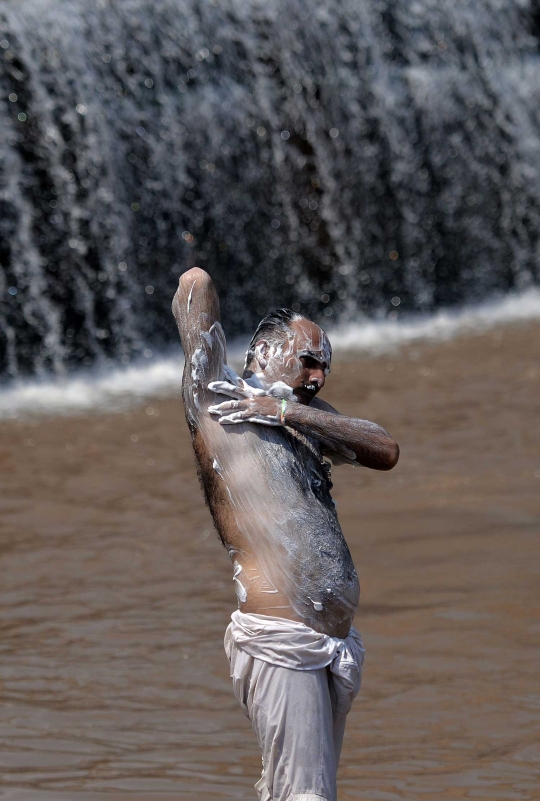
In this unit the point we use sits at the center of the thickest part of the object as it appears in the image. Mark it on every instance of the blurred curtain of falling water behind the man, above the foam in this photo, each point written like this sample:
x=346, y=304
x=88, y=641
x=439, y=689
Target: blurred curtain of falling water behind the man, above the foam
x=348, y=158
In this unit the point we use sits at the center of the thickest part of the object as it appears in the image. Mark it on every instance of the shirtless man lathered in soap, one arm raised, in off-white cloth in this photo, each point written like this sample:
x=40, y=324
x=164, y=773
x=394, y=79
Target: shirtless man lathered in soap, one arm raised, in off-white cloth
x=295, y=660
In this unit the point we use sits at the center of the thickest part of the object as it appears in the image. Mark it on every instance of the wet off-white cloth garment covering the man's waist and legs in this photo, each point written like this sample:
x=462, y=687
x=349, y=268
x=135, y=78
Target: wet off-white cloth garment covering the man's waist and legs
x=296, y=686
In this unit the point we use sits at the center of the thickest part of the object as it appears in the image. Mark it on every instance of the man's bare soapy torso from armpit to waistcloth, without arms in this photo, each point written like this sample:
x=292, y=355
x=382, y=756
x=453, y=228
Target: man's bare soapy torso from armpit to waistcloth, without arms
x=289, y=556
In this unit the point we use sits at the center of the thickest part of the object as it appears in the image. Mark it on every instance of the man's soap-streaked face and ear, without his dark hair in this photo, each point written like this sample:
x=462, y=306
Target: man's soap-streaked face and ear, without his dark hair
x=302, y=361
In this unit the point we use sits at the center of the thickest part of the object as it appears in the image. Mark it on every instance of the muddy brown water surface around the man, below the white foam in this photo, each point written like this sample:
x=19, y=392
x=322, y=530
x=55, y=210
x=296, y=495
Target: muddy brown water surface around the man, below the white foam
x=115, y=594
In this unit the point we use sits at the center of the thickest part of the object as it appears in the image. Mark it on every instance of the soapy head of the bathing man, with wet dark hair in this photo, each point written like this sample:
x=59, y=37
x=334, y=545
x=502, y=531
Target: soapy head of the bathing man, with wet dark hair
x=287, y=347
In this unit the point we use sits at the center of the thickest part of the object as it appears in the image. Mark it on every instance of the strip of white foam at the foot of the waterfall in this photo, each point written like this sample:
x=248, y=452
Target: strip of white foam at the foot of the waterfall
x=119, y=389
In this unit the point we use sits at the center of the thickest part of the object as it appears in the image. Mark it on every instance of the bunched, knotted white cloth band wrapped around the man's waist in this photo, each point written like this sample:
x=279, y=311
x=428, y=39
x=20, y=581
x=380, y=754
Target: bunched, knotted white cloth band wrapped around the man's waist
x=293, y=645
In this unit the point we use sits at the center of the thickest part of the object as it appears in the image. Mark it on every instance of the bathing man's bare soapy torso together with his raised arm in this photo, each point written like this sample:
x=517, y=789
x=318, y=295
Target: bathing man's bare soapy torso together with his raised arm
x=268, y=490
